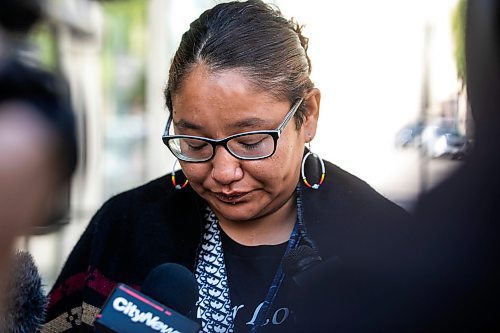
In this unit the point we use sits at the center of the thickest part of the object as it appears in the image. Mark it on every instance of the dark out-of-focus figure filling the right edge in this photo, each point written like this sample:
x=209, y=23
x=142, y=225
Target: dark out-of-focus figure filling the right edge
x=459, y=220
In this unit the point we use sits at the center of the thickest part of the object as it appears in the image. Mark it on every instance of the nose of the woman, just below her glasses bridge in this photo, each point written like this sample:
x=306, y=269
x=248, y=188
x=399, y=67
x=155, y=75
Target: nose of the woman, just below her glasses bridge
x=225, y=167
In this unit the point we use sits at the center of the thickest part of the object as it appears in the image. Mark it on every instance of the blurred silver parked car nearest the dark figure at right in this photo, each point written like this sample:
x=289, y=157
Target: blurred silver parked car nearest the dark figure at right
x=441, y=138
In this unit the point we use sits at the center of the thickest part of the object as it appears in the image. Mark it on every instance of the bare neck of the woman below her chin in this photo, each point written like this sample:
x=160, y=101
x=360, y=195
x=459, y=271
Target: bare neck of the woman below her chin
x=271, y=229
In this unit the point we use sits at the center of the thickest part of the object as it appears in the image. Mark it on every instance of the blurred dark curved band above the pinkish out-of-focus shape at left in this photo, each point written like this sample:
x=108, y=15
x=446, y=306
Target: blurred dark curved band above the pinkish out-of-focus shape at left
x=49, y=96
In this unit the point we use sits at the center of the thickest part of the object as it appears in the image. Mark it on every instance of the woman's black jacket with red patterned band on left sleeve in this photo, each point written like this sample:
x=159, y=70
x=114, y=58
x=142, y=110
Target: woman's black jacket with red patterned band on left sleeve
x=142, y=228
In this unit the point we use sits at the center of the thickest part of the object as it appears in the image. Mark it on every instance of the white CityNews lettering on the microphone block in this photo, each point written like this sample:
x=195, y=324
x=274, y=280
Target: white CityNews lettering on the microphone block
x=128, y=308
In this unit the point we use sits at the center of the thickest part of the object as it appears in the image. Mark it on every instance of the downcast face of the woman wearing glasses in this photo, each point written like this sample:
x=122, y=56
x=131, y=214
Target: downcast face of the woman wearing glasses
x=217, y=105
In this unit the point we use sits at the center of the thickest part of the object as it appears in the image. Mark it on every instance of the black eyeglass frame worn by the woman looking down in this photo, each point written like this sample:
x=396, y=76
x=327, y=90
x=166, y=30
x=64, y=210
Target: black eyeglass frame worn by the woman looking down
x=275, y=134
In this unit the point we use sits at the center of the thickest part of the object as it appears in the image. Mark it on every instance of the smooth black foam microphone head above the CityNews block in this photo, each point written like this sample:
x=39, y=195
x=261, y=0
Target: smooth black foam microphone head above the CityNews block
x=172, y=285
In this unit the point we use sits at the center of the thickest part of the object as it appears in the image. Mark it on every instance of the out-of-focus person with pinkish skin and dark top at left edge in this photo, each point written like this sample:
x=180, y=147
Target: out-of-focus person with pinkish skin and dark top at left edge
x=37, y=154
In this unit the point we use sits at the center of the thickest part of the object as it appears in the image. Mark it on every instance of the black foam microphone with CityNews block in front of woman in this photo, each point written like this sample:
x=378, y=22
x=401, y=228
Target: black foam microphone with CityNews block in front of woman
x=167, y=287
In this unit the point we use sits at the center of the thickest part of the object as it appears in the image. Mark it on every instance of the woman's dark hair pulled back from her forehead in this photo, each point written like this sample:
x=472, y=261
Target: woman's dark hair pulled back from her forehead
x=252, y=37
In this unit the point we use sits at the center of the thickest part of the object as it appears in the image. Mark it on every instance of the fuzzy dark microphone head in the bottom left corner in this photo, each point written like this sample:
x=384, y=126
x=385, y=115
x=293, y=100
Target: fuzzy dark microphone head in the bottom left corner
x=25, y=301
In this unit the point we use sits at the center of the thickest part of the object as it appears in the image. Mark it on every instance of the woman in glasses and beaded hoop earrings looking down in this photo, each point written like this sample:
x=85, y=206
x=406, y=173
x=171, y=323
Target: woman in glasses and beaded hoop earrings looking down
x=242, y=109
